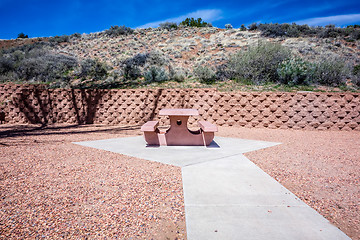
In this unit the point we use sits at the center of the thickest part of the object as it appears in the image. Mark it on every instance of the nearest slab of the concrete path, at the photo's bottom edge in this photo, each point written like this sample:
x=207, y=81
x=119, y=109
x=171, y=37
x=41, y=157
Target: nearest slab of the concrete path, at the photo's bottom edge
x=262, y=222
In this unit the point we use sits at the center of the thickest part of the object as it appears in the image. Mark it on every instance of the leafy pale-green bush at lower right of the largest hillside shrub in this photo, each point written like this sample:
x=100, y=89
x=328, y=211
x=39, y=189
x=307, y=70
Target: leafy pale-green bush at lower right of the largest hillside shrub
x=296, y=71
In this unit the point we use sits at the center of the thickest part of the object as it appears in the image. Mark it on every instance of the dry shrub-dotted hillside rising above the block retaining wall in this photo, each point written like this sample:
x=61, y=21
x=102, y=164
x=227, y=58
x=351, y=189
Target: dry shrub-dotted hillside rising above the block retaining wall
x=198, y=56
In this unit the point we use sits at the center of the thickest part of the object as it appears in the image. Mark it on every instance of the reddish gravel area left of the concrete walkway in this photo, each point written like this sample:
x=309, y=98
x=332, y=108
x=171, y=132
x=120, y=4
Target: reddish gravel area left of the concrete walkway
x=51, y=188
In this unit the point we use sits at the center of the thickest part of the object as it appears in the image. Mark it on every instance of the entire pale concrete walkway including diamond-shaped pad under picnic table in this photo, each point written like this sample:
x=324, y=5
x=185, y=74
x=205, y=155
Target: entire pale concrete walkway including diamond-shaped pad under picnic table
x=226, y=195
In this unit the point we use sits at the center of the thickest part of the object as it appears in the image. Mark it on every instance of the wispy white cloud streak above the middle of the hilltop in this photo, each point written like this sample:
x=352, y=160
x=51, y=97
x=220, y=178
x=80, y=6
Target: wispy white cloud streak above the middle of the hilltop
x=206, y=15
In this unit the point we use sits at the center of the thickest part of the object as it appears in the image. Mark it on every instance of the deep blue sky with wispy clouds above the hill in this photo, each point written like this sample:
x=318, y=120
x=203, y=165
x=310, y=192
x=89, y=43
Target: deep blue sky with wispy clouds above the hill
x=39, y=18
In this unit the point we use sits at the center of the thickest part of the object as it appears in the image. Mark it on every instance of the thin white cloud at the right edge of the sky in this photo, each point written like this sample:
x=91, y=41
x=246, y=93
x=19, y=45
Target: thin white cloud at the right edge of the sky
x=338, y=20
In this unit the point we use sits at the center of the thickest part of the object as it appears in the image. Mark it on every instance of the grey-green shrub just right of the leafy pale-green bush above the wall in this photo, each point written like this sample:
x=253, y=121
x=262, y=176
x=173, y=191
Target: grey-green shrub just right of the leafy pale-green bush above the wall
x=331, y=71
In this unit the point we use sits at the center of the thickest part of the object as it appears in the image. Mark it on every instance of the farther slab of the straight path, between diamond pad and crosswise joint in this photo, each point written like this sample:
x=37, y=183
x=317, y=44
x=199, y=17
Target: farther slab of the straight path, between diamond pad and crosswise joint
x=233, y=180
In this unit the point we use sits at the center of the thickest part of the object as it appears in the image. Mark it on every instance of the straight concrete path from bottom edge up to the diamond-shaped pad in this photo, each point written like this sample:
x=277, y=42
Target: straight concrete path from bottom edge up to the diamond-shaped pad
x=232, y=198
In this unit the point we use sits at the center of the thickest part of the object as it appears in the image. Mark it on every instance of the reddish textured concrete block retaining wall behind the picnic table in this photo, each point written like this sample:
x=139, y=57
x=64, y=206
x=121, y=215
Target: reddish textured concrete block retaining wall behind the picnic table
x=301, y=110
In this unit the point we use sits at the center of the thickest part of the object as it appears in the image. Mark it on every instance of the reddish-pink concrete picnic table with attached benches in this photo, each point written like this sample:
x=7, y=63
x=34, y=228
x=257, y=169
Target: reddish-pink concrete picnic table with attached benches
x=178, y=134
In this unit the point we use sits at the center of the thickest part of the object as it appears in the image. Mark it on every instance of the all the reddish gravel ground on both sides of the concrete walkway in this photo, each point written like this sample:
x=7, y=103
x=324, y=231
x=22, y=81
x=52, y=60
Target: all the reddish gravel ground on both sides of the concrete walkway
x=52, y=188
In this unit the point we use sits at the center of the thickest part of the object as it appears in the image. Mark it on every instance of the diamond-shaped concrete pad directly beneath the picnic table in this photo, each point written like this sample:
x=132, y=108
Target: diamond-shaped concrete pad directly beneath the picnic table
x=178, y=155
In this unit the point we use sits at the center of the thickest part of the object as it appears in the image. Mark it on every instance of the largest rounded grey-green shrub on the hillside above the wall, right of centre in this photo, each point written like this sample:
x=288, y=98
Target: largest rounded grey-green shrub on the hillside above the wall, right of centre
x=259, y=63
